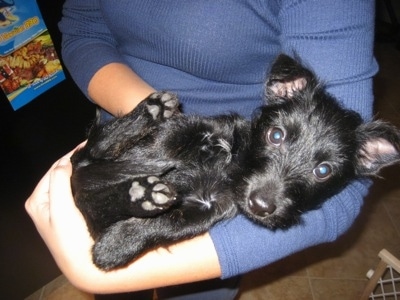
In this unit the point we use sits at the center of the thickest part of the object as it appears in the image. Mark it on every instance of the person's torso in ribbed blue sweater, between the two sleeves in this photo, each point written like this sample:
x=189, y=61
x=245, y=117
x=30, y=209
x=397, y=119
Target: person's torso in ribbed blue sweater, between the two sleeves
x=214, y=54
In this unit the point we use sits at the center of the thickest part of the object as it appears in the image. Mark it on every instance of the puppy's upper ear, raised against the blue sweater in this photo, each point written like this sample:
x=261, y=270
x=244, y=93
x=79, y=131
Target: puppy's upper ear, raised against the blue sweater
x=287, y=76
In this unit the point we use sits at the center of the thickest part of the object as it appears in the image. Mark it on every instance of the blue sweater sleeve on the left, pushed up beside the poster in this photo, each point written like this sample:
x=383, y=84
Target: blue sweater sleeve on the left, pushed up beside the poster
x=87, y=44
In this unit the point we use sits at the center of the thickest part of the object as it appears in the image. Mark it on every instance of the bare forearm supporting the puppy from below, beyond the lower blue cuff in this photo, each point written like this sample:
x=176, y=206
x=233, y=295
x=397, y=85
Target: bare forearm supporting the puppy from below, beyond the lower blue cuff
x=185, y=262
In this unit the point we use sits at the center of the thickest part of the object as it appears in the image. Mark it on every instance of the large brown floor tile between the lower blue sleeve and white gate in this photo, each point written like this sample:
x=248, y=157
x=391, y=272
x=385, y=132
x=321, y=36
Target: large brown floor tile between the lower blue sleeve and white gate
x=356, y=252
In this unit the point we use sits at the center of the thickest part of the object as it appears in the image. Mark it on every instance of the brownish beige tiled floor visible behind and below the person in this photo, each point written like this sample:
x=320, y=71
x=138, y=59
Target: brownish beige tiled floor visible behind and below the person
x=327, y=272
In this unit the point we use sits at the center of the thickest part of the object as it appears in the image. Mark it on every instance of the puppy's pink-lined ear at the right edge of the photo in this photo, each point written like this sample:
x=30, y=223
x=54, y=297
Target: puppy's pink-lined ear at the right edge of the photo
x=379, y=147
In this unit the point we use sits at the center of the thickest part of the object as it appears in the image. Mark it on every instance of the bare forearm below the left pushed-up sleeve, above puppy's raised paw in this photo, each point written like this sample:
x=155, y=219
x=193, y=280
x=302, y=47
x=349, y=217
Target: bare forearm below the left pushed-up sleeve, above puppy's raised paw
x=117, y=89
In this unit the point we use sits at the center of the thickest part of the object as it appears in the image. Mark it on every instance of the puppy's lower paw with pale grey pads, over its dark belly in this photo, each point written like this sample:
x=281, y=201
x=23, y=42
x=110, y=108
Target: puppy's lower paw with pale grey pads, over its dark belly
x=150, y=196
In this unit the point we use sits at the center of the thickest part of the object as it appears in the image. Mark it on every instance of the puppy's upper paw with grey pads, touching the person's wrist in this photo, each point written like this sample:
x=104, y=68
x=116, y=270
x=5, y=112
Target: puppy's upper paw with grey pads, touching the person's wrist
x=162, y=105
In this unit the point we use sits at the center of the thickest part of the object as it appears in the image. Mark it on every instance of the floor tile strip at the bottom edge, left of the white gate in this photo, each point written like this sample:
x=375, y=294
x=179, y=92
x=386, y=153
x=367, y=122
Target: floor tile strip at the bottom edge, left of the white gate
x=334, y=289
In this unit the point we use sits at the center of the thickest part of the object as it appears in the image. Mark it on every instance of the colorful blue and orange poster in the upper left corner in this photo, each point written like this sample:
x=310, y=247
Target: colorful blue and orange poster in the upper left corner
x=29, y=64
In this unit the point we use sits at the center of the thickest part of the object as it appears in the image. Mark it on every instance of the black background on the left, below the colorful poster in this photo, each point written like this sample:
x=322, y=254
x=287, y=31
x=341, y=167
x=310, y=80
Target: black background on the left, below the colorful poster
x=31, y=139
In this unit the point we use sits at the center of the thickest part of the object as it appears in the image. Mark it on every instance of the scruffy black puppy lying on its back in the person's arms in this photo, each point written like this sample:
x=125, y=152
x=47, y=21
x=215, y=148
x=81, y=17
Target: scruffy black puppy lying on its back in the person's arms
x=156, y=176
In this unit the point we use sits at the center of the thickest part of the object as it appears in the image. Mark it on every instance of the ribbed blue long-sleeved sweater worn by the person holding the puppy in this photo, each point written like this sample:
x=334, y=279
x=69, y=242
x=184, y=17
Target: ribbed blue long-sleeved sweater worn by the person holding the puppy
x=215, y=55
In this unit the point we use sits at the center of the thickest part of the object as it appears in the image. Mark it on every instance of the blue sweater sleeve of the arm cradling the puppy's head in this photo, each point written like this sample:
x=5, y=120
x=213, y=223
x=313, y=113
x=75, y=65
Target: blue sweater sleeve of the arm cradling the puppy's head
x=335, y=39
